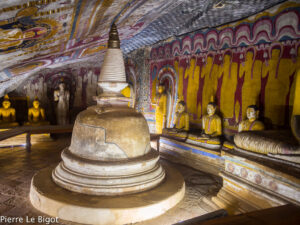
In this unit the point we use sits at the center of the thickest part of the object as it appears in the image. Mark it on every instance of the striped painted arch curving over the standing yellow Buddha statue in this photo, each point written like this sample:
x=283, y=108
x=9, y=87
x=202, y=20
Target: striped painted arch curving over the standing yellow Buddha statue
x=168, y=77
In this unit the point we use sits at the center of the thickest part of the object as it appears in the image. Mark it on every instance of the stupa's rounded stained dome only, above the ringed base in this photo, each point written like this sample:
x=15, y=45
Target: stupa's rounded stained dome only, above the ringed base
x=110, y=135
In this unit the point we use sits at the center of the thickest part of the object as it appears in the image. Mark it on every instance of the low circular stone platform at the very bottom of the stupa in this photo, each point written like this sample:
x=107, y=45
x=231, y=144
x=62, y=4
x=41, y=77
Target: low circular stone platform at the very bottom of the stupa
x=55, y=201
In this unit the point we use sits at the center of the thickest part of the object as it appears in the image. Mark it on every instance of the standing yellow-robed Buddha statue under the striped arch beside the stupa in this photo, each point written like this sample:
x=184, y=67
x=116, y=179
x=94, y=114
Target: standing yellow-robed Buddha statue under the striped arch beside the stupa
x=161, y=109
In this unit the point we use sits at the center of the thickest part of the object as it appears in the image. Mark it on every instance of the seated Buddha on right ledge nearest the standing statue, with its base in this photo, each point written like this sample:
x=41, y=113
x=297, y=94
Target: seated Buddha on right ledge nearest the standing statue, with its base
x=181, y=122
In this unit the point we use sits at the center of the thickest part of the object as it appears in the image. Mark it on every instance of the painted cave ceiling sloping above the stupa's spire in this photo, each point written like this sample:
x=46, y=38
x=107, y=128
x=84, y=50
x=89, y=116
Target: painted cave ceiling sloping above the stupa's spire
x=40, y=34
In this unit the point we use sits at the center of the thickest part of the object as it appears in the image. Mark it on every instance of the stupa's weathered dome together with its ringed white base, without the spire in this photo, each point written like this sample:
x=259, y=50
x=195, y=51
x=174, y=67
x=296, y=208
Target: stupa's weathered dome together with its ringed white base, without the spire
x=110, y=154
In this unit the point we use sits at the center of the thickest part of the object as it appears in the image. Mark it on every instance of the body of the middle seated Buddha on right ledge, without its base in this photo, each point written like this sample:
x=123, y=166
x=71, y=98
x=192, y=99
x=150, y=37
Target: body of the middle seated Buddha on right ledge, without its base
x=211, y=123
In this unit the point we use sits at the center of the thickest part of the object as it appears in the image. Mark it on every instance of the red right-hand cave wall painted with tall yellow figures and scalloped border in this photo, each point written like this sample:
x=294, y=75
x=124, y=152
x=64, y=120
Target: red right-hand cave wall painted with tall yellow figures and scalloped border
x=252, y=61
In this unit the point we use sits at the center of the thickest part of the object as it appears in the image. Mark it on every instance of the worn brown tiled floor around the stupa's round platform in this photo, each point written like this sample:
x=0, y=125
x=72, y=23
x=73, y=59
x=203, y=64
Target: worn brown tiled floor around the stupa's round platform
x=17, y=168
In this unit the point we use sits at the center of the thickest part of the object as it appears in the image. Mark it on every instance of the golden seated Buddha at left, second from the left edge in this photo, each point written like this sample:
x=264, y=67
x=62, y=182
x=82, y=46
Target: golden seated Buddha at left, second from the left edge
x=36, y=115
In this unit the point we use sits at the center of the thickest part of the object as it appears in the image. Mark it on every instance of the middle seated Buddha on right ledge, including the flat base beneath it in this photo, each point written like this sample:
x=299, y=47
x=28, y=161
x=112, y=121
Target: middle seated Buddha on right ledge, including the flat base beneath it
x=211, y=130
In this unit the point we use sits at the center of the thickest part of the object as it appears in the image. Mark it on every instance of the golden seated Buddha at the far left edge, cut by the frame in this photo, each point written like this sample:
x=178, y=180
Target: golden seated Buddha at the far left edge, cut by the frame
x=7, y=114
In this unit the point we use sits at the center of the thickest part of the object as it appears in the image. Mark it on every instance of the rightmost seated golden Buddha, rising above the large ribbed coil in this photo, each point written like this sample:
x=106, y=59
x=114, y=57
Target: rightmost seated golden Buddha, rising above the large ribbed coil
x=251, y=123
